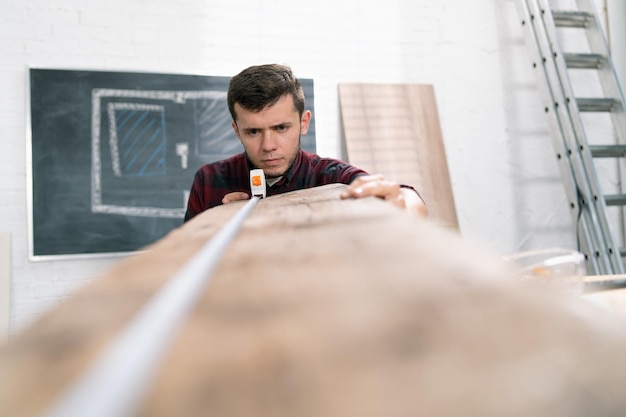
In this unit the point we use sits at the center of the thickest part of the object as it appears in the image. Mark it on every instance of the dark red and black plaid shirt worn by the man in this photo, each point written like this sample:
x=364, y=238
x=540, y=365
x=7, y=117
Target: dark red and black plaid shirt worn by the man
x=213, y=181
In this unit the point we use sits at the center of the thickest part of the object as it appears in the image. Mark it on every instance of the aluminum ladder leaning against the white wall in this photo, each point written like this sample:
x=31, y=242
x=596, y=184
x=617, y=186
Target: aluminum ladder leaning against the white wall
x=546, y=28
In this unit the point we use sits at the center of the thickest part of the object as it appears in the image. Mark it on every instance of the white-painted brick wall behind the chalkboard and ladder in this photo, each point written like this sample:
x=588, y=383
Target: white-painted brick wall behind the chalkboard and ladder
x=472, y=51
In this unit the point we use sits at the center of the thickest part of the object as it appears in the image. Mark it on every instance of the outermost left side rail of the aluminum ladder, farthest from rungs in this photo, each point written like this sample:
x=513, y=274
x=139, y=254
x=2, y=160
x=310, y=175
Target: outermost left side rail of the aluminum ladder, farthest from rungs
x=589, y=240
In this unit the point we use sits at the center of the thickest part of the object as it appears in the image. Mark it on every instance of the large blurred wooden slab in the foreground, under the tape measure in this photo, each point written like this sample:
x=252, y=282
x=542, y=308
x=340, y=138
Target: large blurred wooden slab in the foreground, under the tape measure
x=329, y=307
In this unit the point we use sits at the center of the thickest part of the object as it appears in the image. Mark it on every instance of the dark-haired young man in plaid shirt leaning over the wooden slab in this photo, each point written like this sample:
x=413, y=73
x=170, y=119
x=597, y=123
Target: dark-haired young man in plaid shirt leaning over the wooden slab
x=266, y=103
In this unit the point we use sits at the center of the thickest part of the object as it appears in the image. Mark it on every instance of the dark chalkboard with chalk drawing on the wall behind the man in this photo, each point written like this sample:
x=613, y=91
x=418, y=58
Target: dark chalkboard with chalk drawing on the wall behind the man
x=113, y=154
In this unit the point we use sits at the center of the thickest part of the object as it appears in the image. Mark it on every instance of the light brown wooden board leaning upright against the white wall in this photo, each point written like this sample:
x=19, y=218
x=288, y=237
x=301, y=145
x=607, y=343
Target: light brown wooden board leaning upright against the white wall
x=394, y=130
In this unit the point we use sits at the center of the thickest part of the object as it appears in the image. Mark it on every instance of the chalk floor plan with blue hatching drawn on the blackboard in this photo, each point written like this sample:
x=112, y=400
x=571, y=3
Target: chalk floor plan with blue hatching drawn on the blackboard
x=150, y=133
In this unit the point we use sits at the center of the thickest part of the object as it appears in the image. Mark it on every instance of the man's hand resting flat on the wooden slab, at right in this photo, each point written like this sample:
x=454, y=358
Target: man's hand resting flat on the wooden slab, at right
x=377, y=186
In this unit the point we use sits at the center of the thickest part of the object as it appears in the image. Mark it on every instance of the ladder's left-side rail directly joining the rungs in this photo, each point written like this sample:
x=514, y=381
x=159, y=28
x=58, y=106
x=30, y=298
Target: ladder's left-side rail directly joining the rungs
x=577, y=141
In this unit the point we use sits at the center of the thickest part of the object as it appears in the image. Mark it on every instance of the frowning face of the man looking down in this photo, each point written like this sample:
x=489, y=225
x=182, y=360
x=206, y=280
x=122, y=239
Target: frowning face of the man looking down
x=271, y=137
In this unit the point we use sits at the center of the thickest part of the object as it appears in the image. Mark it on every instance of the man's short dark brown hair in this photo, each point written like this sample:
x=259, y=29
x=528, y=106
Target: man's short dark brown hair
x=261, y=86
